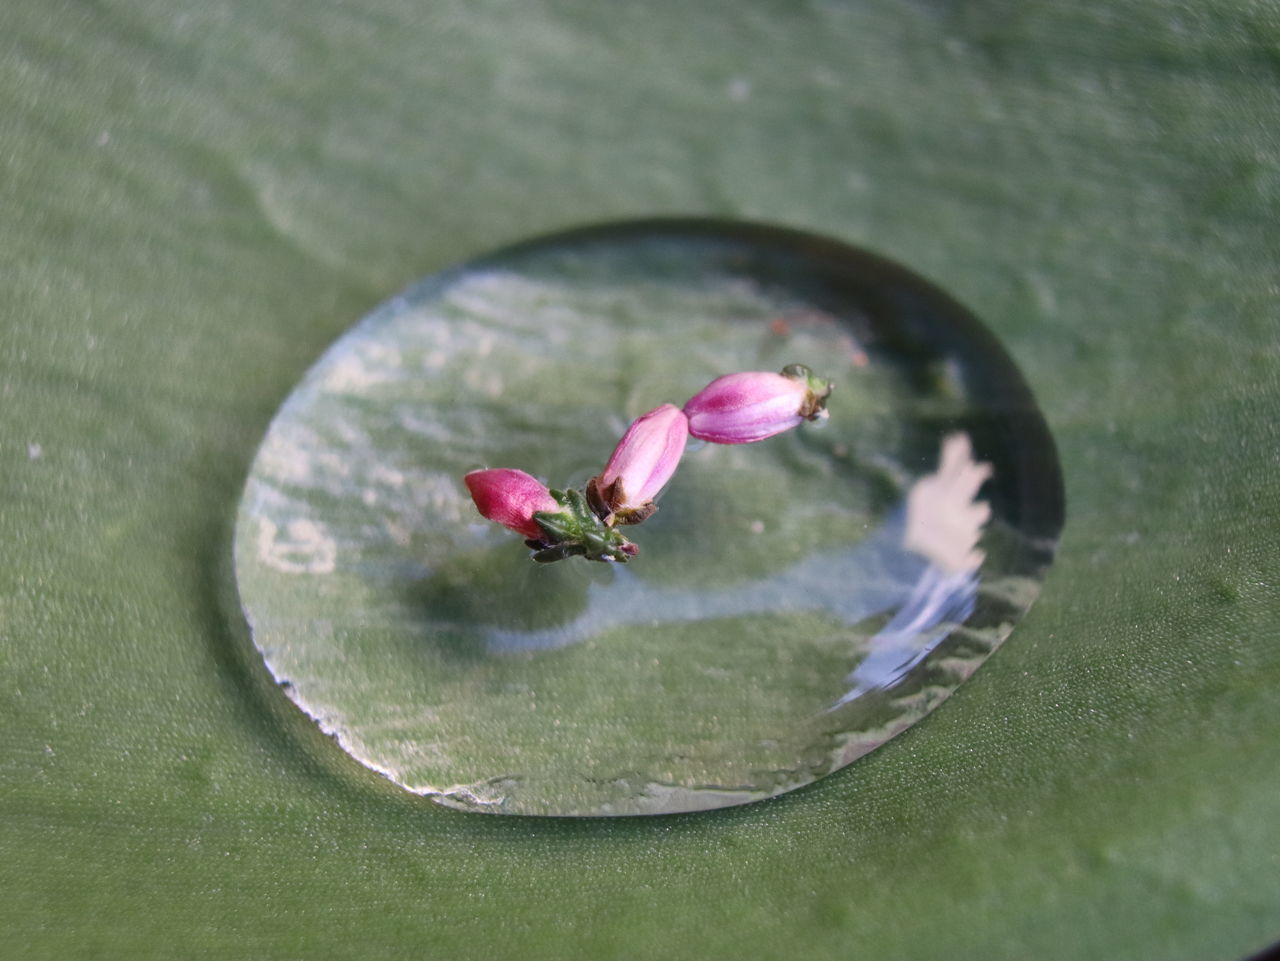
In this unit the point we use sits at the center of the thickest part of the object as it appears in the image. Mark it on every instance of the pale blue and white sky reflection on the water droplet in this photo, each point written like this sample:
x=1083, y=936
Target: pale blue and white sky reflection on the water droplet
x=921, y=568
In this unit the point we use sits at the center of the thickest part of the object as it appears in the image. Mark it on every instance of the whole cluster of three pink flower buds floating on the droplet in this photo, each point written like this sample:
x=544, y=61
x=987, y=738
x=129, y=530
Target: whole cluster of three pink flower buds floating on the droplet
x=737, y=409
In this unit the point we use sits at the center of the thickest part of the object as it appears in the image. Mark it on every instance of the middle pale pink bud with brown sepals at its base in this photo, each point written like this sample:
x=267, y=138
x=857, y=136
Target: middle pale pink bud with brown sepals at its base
x=641, y=465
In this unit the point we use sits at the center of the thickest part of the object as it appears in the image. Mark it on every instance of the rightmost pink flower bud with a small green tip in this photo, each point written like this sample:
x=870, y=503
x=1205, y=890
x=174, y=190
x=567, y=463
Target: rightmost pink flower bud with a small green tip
x=742, y=409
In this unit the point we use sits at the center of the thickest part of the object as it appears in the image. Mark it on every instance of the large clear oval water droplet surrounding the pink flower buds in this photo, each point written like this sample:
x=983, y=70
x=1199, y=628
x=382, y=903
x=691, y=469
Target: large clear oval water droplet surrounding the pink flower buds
x=797, y=602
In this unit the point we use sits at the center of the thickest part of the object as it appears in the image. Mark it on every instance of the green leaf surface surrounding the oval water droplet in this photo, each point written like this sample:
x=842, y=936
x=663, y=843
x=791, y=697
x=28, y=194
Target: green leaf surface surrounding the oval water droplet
x=198, y=198
